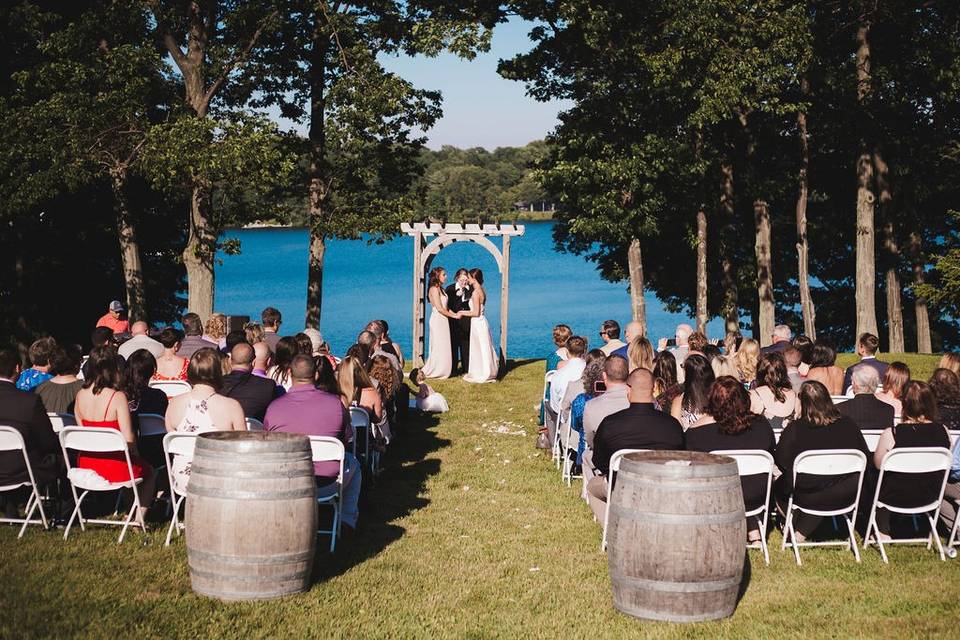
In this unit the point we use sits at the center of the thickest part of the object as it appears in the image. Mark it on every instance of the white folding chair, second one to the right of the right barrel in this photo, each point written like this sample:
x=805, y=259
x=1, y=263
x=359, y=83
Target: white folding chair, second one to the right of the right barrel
x=826, y=462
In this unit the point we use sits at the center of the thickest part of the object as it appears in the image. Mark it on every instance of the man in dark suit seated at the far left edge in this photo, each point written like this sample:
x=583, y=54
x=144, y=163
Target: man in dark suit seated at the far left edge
x=25, y=412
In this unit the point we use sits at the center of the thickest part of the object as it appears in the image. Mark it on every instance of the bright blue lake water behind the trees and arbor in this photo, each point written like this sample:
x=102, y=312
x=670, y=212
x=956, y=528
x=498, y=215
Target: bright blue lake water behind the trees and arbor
x=366, y=281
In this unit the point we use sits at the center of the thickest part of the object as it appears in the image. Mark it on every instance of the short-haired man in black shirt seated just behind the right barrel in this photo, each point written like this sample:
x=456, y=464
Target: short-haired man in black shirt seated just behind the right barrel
x=639, y=426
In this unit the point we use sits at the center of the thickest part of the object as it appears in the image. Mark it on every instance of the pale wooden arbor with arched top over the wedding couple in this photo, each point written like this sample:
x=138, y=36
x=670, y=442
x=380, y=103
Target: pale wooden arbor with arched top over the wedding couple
x=445, y=235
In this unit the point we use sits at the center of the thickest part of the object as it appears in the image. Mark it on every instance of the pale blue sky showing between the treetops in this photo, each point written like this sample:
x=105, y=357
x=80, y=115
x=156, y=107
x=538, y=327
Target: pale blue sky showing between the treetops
x=480, y=109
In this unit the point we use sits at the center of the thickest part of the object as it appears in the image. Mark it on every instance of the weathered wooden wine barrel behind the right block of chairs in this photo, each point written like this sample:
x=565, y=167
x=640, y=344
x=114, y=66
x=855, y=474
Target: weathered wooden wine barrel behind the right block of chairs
x=676, y=536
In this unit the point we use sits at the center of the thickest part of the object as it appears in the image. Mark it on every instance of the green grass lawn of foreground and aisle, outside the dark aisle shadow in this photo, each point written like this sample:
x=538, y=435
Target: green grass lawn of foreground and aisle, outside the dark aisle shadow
x=468, y=532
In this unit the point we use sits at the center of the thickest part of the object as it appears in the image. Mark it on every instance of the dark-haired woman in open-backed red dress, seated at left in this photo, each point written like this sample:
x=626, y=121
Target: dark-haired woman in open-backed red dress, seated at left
x=102, y=403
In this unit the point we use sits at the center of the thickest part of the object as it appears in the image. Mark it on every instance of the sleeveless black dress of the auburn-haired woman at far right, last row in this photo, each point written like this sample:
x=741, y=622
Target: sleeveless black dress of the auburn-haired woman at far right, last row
x=914, y=489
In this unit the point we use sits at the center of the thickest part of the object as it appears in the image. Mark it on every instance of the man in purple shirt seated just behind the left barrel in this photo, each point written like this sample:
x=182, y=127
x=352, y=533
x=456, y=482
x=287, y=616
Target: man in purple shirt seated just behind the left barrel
x=307, y=410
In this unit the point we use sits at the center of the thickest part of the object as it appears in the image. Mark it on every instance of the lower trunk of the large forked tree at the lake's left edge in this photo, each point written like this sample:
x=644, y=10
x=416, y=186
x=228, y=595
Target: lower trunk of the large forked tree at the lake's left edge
x=199, y=254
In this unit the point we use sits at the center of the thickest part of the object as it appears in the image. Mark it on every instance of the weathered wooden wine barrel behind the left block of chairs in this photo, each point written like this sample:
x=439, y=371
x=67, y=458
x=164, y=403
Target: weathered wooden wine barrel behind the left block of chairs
x=251, y=515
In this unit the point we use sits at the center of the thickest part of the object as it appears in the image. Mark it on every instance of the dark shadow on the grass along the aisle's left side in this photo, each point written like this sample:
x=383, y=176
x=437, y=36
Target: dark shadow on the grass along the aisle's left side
x=395, y=493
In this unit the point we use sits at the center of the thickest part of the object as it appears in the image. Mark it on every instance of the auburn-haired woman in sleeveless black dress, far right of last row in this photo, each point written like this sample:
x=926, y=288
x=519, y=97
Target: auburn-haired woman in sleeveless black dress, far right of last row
x=920, y=428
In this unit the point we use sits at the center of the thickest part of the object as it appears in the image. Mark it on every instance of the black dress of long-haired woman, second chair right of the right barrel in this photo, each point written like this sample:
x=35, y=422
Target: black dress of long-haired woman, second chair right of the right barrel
x=816, y=492
